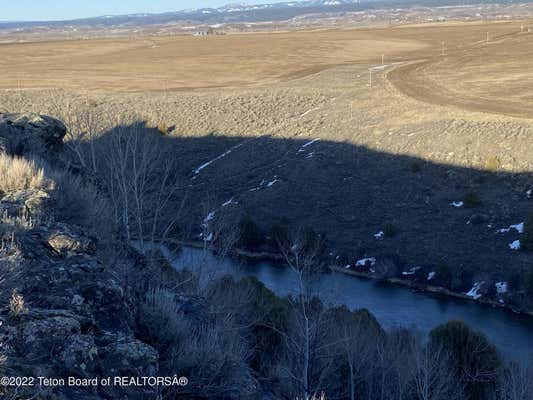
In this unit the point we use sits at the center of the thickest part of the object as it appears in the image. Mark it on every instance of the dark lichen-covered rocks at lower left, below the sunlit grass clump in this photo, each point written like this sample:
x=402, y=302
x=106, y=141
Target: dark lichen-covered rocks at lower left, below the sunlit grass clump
x=69, y=315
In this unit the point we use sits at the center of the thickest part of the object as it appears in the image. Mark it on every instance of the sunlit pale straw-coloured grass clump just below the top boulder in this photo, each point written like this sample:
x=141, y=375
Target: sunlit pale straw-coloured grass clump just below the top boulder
x=19, y=174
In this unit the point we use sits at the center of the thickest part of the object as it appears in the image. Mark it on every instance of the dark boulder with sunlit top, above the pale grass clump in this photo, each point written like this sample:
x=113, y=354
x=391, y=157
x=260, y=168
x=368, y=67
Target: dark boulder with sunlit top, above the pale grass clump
x=22, y=134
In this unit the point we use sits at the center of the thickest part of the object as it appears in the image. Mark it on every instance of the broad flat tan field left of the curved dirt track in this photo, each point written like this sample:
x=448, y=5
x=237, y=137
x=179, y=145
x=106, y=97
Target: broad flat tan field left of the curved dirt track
x=185, y=62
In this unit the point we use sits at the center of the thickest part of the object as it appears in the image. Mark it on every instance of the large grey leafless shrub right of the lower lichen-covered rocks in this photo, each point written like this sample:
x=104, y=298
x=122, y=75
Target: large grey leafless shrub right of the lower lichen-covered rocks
x=213, y=357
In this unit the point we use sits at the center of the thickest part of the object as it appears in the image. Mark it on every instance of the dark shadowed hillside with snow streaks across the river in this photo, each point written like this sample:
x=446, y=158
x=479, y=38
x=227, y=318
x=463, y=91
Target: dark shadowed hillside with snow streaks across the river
x=350, y=193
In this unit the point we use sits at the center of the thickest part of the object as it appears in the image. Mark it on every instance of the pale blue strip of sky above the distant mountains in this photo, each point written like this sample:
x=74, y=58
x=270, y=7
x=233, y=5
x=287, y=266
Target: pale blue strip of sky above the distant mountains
x=41, y=10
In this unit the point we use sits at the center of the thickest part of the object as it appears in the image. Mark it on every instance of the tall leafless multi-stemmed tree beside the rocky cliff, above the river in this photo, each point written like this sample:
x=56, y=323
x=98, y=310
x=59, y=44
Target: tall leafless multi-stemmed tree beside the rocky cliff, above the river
x=139, y=177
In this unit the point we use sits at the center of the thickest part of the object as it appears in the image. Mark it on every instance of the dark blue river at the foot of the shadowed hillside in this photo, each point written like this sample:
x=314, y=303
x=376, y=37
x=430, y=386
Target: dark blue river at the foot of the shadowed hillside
x=392, y=305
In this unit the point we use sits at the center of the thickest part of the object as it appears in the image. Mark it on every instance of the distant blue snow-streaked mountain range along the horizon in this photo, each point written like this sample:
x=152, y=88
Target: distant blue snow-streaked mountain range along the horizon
x=237, y=13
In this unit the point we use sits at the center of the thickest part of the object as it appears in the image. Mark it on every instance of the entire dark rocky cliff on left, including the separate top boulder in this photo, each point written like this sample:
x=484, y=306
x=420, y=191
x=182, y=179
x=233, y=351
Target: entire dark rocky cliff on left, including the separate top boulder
x=63, y=311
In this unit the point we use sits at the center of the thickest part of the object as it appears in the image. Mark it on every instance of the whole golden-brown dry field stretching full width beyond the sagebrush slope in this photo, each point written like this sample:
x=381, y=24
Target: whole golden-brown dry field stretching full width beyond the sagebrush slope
x=440, y=63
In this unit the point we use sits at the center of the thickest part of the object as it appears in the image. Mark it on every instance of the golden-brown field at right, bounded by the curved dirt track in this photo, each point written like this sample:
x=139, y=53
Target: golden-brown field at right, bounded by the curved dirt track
x=485, y=68
